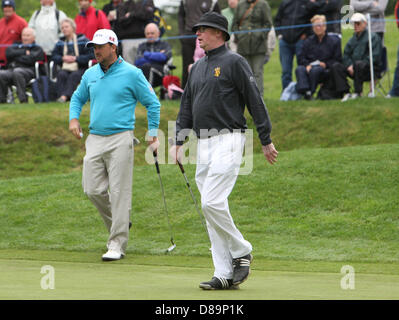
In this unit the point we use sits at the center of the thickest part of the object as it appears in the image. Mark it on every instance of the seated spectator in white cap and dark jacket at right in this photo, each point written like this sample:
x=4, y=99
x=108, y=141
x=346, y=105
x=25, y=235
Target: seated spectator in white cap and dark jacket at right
x=356, y=59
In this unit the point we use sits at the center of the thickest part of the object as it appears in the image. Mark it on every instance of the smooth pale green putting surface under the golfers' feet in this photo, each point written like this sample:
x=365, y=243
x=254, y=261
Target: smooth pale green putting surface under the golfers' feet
x=141, y=278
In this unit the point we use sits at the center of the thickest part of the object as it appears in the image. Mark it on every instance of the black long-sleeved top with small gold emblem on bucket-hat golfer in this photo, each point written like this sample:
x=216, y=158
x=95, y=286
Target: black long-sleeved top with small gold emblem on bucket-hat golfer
x=219, y=87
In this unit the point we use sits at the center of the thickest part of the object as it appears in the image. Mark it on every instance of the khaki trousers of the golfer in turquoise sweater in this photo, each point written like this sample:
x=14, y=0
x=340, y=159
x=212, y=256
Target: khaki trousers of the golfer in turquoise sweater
x=107, y=182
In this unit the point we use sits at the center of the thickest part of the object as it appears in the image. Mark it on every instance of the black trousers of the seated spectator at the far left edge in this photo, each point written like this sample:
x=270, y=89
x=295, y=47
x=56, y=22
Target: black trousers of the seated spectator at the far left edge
x=19, y=77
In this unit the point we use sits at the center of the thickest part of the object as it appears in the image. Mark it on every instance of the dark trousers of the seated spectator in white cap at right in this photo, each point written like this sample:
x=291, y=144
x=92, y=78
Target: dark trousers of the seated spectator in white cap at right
x=361, y=74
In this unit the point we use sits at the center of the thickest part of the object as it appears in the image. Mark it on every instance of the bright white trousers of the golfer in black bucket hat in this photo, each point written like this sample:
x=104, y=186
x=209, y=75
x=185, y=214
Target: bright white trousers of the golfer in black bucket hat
x=218, y=163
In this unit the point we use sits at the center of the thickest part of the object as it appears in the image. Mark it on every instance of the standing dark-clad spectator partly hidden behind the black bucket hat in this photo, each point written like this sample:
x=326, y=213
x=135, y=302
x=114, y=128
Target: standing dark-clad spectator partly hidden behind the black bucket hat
x=189, y=14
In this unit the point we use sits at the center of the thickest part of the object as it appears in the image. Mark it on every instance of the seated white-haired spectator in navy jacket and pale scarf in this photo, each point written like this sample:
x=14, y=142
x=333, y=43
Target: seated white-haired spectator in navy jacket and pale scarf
x=72, y=57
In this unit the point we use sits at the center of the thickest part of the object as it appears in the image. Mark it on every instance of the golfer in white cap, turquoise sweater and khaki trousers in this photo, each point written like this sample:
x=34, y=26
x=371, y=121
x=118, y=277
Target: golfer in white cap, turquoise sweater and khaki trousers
x=113, y=88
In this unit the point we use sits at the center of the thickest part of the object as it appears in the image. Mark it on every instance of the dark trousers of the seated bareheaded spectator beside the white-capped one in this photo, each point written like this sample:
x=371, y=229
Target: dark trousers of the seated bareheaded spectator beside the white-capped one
x=309, y=81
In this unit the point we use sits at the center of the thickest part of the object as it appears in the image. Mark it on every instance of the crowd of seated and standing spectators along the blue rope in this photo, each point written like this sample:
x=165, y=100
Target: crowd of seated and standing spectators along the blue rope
x=308, y=30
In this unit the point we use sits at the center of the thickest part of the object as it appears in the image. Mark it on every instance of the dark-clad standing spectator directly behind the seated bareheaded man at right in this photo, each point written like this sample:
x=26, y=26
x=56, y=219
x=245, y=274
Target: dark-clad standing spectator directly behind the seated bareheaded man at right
x=331, y=9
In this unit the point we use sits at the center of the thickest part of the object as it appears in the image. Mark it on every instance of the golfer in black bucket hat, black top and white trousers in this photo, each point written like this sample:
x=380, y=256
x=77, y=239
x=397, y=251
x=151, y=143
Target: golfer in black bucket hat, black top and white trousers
x=219, y=87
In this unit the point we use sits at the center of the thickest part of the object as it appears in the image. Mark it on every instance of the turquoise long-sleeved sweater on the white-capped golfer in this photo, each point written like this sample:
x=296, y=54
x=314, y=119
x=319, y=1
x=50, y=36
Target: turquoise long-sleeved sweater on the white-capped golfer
x=113, y=96
